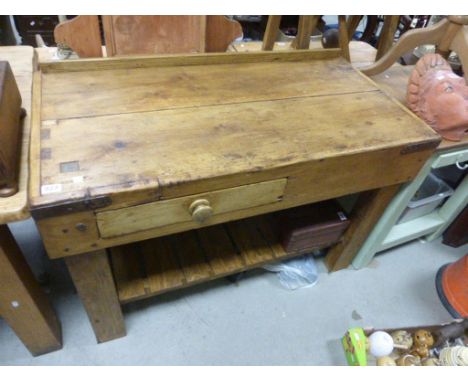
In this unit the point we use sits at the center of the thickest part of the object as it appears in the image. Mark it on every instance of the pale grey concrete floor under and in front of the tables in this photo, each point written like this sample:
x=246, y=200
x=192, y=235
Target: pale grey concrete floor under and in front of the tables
x=254, y=322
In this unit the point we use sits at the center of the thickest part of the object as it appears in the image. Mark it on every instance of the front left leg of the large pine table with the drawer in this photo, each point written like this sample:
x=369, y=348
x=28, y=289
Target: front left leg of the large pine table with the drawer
x=92, y=275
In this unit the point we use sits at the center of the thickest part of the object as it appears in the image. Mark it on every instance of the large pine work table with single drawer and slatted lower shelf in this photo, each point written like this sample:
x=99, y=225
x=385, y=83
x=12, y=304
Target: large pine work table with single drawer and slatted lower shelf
x=138, y=148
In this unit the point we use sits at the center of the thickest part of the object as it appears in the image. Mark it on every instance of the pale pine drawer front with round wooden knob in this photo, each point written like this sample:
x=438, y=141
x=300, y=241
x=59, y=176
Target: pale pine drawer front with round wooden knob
x=197, y=208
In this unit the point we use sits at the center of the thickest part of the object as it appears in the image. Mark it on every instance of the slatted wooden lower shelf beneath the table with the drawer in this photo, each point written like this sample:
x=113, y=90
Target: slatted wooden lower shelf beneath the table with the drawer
x=172, y=262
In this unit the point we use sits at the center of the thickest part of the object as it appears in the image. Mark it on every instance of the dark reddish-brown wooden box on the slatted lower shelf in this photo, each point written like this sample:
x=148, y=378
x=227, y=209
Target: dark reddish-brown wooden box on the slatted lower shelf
x=303, y=229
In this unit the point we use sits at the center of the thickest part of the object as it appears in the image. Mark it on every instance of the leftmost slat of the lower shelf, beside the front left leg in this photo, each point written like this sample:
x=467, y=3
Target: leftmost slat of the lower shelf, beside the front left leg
x=128, y=270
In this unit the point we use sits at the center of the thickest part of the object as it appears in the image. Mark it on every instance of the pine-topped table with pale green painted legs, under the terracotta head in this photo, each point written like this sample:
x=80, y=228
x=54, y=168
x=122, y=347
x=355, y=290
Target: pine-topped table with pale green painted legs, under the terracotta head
x=387, y=233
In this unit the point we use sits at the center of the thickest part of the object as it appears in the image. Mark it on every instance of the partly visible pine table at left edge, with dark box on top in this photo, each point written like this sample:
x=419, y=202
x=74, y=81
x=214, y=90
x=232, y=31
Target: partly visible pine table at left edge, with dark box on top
x=23, y=304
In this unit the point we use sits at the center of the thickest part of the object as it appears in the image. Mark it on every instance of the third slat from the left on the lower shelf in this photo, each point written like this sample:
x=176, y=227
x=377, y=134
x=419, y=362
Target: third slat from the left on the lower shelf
x=191, y=257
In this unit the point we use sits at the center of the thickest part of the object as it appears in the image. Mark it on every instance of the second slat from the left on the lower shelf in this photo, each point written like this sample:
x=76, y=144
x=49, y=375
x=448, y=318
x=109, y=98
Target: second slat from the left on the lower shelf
x=163, y=270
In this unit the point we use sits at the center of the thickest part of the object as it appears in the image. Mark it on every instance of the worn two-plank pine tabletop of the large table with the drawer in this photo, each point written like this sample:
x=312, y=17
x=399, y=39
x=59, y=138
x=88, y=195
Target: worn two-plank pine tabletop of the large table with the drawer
x=124, y=125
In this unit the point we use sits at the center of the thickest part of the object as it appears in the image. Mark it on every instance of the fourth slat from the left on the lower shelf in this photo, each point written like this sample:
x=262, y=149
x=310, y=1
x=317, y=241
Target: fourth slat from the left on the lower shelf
x=219, y=250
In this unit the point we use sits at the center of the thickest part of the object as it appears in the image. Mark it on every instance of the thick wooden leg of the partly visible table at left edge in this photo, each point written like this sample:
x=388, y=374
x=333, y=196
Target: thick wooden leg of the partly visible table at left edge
x=23, y=304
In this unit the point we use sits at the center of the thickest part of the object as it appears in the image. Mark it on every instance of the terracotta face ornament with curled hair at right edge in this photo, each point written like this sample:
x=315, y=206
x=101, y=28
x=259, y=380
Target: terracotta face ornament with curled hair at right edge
x=440, y=97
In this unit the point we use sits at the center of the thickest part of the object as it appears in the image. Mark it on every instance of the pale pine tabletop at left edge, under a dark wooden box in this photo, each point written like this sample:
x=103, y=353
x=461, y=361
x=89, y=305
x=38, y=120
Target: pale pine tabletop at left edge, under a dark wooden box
x=21, y=59
